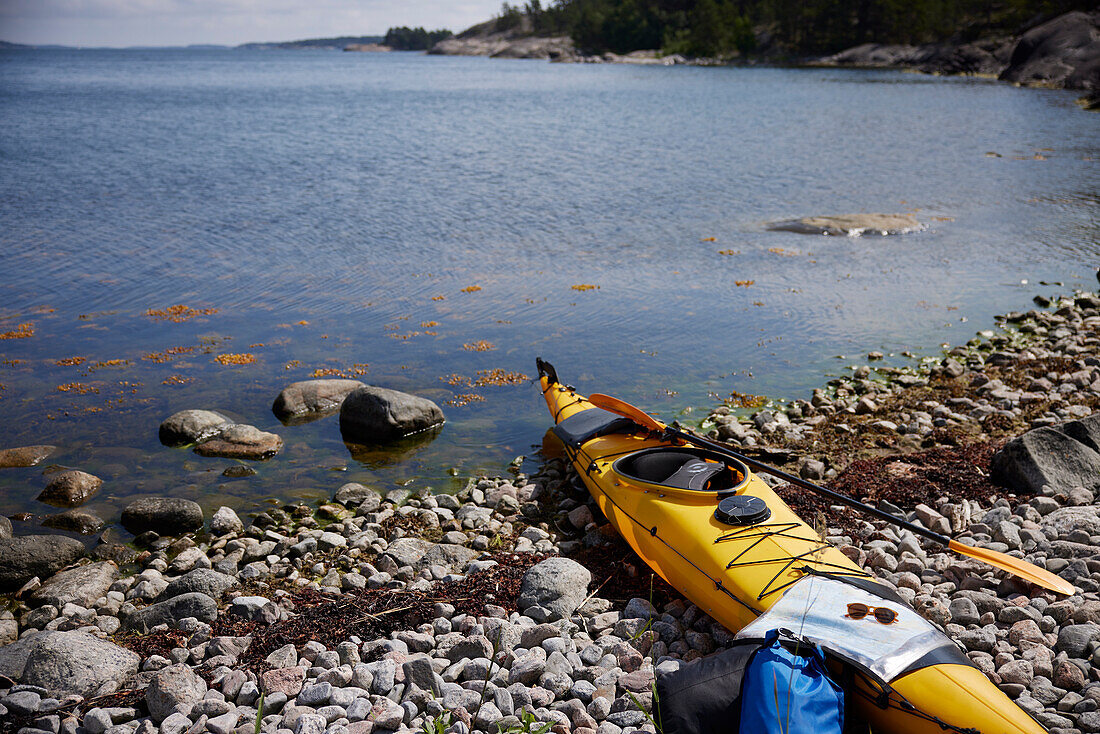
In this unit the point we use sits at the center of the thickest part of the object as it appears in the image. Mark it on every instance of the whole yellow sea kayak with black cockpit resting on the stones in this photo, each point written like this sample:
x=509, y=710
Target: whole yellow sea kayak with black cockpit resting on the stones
x=723, y=539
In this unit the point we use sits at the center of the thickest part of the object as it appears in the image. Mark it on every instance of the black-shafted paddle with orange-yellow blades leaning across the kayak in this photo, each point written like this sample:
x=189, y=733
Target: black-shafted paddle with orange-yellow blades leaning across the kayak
x=1016, y=566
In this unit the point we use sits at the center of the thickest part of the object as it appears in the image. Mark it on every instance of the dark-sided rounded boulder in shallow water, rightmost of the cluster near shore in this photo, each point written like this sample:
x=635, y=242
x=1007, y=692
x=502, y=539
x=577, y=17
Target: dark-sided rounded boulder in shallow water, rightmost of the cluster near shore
x=377, y=415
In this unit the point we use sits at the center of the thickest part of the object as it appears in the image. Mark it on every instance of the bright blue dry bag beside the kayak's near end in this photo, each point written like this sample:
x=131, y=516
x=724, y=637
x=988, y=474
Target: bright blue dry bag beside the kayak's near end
x=788, y=694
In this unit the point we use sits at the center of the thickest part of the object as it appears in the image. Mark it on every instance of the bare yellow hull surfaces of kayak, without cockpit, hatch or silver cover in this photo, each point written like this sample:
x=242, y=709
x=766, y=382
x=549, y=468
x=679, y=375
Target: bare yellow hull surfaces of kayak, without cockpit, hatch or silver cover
x=736, y=575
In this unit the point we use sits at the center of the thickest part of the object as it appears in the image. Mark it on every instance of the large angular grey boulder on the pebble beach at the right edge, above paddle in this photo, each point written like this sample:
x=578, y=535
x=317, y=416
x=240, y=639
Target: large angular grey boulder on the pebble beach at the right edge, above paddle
x=1046, y=456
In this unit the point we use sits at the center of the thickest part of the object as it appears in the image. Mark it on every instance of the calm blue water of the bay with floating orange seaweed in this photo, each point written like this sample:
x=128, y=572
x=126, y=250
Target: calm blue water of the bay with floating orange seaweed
x=390, y=210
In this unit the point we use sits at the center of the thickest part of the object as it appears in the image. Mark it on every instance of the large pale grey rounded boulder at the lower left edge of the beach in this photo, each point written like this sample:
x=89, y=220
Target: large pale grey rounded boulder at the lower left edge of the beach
x=69, y=663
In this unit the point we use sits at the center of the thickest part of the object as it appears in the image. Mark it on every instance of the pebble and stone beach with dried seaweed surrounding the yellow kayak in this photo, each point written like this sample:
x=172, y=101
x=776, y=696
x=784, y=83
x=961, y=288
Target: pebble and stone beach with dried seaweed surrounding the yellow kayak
x=514, y=606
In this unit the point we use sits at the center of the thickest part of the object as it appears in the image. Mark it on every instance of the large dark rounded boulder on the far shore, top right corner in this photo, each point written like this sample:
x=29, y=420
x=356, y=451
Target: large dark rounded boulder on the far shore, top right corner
x=1064, y=52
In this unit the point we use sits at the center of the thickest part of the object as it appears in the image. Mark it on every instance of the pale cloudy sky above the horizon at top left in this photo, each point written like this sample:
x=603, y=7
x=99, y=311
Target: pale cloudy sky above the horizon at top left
x=229, y=23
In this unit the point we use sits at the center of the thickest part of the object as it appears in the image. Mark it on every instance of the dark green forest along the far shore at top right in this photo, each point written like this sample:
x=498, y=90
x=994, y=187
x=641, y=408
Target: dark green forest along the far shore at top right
x=729, y=28
